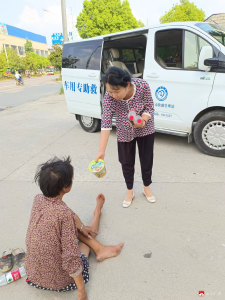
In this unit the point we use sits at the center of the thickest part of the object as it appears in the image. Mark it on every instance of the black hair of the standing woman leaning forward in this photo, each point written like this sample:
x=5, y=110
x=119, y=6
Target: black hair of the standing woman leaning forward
x=116, y=77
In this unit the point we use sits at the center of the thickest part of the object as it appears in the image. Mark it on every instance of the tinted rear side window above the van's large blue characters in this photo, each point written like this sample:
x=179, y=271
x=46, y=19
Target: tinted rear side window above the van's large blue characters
x=82, y=55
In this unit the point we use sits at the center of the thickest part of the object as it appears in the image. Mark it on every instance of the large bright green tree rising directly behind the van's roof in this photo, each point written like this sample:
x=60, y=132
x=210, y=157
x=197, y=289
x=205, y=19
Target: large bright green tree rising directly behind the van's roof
x=100, y=17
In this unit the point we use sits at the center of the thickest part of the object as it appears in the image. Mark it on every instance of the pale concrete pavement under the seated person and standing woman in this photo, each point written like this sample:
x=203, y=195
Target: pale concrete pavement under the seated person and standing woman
x=173, y=248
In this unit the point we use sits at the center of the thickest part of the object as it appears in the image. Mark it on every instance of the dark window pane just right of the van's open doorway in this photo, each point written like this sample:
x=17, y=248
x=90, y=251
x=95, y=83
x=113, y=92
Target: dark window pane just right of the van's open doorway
x=169, y=48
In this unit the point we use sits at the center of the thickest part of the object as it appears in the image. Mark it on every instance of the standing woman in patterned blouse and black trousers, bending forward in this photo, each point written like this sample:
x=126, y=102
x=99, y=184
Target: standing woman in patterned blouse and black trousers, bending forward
x=123, y=94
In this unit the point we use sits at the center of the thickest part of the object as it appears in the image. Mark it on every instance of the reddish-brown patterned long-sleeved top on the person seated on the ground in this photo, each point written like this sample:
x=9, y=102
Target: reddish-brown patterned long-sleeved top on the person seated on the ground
x=53, y=257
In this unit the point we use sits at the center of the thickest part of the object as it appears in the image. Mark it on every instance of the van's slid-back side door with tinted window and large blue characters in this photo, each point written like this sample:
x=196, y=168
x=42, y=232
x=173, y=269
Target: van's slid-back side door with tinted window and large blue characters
x=81, y=65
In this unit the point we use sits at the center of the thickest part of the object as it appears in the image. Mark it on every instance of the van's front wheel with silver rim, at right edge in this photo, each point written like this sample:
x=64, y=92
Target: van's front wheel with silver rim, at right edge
x=209, y=133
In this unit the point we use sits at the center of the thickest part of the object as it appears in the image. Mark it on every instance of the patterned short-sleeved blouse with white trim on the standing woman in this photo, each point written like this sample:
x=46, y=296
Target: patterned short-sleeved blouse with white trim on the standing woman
x=143, y=104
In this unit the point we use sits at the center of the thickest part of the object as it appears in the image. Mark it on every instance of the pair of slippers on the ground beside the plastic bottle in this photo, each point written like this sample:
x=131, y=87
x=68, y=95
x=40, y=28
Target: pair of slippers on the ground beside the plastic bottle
x=11, y=257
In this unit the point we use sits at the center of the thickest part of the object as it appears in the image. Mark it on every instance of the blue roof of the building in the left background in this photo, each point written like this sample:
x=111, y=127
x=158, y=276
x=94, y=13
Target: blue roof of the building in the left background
x=17, y=32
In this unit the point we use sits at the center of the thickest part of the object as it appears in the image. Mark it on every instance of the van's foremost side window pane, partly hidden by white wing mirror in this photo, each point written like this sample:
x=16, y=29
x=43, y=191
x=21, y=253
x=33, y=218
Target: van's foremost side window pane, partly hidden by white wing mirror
x=192, y=48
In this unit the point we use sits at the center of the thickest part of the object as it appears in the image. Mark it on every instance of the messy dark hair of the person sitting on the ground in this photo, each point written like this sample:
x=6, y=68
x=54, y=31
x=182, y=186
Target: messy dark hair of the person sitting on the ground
x=54, y=175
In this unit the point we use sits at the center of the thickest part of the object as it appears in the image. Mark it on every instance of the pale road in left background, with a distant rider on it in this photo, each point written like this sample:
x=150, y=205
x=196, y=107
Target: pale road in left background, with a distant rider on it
x=34, y=89
